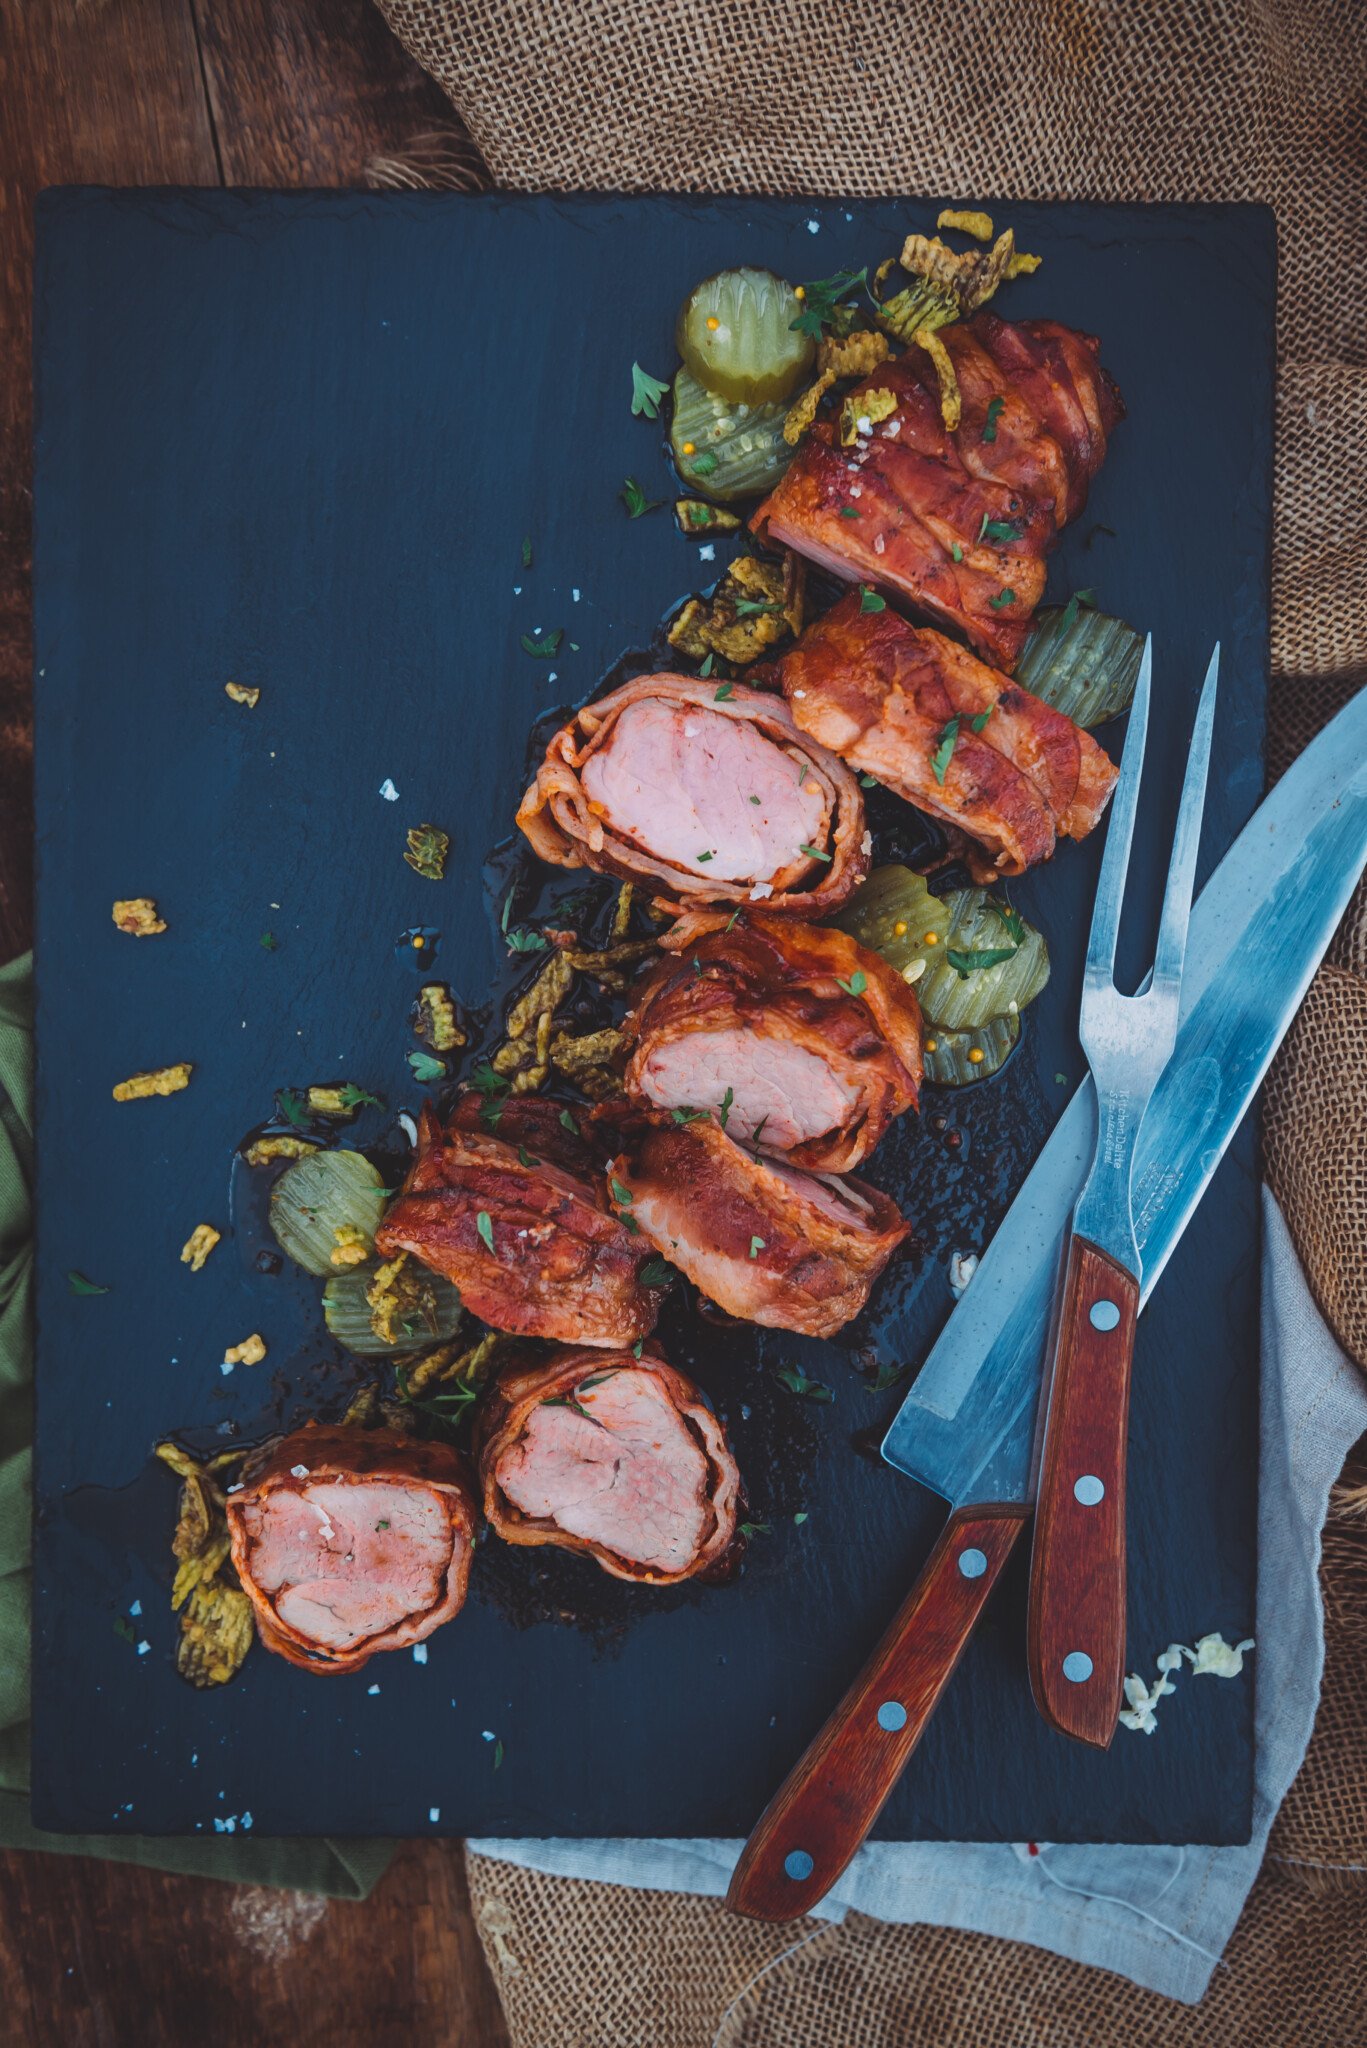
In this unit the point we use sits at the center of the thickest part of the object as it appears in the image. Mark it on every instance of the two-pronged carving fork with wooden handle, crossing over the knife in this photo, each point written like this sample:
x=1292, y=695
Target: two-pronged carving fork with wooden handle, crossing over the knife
x=1077, y=1611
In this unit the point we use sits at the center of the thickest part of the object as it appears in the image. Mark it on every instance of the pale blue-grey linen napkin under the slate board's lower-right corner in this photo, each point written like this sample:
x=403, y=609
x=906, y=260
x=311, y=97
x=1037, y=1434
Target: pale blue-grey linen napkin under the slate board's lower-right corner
x=1161, y=1916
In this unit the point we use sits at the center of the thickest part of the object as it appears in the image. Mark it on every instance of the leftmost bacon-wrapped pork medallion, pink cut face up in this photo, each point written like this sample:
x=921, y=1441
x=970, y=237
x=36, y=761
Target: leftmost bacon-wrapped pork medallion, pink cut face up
x=351, y=1541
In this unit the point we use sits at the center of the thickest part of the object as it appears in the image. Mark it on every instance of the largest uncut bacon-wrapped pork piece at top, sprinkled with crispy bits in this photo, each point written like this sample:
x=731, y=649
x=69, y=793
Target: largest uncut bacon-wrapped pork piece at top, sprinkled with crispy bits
x=956, y=521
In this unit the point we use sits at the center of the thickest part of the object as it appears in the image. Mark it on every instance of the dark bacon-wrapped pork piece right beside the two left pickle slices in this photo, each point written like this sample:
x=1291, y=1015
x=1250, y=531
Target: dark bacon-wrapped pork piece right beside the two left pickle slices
x=509, y=1205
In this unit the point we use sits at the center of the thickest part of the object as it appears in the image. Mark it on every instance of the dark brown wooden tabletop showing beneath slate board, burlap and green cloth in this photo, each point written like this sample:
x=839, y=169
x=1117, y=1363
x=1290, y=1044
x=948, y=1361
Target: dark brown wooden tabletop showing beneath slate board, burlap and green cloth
x=278, y=93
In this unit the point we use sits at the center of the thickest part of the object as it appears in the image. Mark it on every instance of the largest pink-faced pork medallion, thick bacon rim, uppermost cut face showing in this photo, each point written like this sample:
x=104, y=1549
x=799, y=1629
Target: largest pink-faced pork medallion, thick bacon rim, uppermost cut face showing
x=706, y=794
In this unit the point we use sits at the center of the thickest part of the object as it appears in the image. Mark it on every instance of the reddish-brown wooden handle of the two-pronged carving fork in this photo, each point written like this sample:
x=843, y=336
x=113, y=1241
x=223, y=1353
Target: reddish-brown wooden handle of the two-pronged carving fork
x=1077, y=1621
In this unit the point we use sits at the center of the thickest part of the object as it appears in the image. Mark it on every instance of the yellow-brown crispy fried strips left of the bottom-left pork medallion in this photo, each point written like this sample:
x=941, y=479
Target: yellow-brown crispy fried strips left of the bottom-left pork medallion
x=216, y=1617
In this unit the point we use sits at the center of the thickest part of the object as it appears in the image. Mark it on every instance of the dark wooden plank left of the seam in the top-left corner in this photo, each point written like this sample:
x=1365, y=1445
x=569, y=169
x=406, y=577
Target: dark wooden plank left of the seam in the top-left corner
x=106, y=95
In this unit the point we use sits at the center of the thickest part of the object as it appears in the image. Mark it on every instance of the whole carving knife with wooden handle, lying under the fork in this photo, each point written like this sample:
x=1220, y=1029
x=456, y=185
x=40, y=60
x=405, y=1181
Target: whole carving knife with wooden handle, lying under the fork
x=968, y=1422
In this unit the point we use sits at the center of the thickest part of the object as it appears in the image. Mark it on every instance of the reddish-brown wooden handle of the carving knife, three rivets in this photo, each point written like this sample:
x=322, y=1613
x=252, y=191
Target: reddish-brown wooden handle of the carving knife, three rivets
x=839, y=1787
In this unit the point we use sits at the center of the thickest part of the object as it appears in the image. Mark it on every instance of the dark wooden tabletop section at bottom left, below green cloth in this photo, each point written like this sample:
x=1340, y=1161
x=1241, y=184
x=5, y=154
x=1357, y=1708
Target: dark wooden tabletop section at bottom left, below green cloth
x=101, y=1955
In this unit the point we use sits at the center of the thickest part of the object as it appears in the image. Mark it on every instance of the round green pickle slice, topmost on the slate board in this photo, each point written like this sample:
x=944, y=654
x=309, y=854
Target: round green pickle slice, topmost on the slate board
x=737, y=337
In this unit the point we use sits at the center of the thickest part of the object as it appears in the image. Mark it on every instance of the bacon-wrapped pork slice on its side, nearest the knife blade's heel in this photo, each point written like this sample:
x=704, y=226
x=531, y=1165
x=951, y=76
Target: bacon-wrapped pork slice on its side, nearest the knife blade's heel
x=761, y=1240
